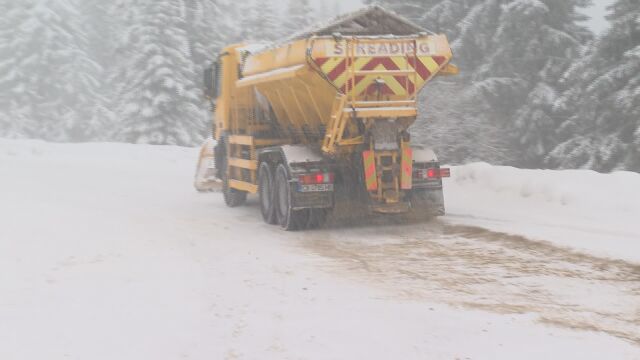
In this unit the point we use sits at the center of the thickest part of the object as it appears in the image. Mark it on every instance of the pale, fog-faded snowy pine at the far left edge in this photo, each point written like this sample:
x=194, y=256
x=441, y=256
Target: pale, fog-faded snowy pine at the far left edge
x=49, y=82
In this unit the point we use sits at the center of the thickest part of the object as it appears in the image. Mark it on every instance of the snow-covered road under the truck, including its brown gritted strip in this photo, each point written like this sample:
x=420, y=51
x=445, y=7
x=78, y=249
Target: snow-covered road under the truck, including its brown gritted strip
x=106, y=252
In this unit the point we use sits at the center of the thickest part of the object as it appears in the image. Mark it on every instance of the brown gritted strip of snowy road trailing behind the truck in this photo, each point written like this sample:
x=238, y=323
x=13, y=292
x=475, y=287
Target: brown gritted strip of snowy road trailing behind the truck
x=479, y=269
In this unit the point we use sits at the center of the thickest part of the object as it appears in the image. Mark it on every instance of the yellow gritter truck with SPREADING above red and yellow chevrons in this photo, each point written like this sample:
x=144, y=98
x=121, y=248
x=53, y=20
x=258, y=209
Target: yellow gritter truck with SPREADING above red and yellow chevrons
x=324, y=117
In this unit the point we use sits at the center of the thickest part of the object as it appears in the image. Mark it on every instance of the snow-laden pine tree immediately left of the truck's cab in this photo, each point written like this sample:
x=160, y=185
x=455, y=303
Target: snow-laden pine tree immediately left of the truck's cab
x=160, y=104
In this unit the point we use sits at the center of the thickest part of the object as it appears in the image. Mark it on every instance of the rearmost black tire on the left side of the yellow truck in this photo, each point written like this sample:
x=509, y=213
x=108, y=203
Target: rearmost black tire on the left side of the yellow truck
x=288, y=218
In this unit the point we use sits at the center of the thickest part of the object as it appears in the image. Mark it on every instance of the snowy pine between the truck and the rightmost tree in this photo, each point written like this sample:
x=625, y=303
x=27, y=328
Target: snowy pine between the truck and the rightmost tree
x=517, y=74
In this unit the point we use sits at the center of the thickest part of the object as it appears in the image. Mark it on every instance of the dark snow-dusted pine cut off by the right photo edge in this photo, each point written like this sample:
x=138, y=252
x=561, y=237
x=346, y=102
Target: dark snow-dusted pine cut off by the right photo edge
x=602, y=128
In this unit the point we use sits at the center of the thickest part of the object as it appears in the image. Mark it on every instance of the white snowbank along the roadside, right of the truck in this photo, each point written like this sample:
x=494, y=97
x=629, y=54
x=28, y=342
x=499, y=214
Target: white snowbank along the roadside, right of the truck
x=581, y=209
